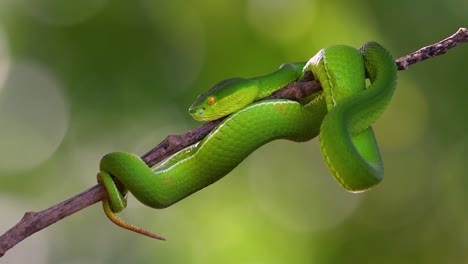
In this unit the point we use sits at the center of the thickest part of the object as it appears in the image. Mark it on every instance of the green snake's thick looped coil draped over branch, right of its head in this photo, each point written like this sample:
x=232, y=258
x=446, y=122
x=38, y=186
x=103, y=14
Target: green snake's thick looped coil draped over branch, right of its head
x=347, y=140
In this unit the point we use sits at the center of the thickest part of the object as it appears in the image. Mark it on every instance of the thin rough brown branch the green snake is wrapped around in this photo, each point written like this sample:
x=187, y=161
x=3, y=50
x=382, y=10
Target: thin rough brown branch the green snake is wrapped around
x=35, y=221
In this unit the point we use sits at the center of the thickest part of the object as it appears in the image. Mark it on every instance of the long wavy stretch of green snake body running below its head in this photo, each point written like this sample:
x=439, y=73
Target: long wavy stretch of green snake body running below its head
x=209, y=161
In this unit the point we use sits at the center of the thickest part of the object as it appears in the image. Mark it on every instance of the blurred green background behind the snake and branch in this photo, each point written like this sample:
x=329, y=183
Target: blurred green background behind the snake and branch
x=82, y=78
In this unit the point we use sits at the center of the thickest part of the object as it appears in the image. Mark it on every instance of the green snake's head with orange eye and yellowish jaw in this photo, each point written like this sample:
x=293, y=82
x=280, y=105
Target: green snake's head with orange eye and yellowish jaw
x=226, y=97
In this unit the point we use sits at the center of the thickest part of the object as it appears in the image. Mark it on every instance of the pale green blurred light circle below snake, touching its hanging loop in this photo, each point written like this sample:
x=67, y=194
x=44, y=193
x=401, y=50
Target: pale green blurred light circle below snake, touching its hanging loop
x=293, y=186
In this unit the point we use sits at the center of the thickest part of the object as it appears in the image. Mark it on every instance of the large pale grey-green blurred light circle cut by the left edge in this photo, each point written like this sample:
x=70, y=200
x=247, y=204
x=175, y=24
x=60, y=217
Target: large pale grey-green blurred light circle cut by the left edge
x=33, y=117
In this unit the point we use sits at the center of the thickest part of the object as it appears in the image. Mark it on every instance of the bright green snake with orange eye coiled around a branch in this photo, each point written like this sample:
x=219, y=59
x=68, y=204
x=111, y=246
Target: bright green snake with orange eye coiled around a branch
x=342, y=114
